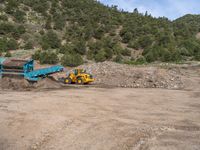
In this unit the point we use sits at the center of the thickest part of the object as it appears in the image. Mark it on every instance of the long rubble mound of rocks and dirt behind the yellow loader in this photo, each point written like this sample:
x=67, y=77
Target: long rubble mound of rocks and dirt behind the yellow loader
x=118, y=75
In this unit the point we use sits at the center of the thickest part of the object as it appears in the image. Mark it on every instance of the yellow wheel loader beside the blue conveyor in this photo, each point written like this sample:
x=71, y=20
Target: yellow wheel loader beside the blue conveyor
x=78, y=76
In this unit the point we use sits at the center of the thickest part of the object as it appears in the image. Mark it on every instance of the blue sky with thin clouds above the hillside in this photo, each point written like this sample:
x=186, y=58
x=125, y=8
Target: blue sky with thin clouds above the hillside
x=168, y=8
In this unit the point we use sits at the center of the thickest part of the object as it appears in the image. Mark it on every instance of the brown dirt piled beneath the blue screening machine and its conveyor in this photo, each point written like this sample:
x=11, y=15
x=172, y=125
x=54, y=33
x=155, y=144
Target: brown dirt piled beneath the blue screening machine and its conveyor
x=22, y=84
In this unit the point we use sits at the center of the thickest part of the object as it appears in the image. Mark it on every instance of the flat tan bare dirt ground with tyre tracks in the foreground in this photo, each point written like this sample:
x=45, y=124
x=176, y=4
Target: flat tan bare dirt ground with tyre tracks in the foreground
x=103, y=118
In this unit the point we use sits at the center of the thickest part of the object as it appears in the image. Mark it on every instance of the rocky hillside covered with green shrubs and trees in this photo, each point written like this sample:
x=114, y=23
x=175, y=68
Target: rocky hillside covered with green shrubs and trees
x=81, y=30
